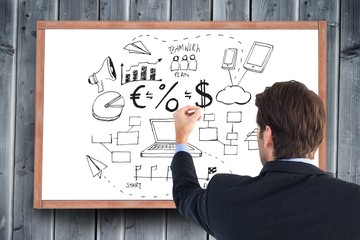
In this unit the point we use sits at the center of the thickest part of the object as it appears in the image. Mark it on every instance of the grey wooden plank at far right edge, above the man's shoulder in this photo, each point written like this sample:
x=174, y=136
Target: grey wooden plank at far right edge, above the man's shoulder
x=349, y=92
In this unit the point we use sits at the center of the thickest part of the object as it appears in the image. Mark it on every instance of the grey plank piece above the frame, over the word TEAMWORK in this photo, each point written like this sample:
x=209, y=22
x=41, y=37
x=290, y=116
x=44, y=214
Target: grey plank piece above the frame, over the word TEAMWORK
x=190, y=10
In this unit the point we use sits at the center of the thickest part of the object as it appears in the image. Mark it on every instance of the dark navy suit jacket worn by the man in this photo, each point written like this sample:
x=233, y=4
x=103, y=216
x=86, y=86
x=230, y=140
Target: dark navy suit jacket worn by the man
x=288, y=200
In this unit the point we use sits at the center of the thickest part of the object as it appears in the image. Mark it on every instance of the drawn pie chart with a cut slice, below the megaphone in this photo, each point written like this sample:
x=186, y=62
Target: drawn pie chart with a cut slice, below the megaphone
x=108, y=106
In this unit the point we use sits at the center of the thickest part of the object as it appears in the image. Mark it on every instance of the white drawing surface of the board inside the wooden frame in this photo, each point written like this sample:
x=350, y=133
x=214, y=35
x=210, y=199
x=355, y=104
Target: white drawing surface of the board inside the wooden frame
x=109, y=95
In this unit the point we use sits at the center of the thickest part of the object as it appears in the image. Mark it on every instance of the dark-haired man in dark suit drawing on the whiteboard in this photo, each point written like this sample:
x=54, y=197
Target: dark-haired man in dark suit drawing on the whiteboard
x=290, y=198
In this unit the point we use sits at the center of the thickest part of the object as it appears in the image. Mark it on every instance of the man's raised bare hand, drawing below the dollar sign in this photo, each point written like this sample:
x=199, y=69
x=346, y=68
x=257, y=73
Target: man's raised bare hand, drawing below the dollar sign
x=185, y=119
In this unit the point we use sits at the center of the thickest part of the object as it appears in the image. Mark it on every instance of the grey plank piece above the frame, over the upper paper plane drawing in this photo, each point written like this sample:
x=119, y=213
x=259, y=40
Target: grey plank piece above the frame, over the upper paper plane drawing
x=147, y=10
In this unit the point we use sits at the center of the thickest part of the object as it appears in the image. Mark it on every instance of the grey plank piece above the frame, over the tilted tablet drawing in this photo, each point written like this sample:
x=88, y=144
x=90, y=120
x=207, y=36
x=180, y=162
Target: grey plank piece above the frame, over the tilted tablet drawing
x=274, y=10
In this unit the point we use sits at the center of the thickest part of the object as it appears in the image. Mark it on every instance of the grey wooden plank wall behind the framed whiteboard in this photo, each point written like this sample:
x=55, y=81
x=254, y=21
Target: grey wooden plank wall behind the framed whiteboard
x=18, y=219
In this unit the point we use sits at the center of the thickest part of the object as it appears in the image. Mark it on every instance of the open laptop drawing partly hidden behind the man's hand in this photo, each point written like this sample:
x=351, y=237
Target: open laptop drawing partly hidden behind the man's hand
x=164, y=134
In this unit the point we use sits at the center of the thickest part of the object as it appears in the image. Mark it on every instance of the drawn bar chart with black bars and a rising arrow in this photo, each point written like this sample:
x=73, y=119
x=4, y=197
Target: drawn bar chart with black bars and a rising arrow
x=143, y=71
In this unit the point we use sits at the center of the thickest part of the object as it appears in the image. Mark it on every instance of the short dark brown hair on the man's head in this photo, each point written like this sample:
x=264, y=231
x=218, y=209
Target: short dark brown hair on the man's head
x=296, y=116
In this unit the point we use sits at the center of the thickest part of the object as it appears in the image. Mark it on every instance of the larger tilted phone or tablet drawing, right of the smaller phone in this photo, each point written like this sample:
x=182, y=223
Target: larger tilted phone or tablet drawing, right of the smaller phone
x=258, y=57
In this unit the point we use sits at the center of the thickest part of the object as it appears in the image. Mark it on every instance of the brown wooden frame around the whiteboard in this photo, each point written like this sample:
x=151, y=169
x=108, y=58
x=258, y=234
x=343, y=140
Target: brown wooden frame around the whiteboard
x=40, y=53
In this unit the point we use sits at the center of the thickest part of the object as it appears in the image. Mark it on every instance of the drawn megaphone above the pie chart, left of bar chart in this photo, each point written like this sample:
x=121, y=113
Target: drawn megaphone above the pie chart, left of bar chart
x=106, y=72
